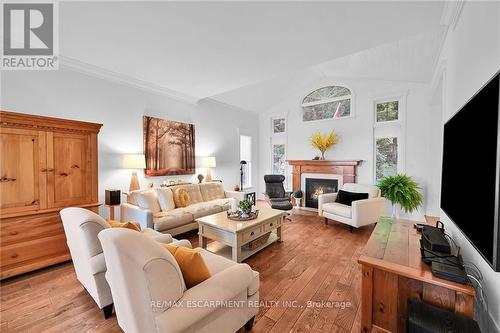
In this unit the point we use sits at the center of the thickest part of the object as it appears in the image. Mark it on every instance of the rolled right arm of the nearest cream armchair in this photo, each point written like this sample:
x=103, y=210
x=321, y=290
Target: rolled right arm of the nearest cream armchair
x=206, y=297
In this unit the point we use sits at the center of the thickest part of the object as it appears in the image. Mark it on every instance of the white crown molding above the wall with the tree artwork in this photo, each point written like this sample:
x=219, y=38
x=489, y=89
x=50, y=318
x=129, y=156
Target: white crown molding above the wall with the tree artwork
x=102, y=73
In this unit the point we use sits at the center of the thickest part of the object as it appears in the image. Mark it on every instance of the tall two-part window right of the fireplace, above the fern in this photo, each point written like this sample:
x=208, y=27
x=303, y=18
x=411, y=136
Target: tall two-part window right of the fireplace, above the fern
x=388, y=137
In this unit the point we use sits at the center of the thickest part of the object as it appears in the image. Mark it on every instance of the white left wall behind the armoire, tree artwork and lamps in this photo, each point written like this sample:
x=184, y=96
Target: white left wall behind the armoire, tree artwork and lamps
x=72, y=95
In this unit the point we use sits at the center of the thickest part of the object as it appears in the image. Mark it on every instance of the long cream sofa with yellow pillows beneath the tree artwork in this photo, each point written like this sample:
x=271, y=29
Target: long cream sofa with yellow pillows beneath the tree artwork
x=155, y=208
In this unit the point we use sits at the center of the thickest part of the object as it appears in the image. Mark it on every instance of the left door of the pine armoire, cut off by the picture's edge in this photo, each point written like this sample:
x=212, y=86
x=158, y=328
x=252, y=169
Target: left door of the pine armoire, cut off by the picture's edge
x=23, y=170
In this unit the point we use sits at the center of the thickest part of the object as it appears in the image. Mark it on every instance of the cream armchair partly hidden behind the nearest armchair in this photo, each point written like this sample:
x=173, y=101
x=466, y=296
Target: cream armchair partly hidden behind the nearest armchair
x=81, y=227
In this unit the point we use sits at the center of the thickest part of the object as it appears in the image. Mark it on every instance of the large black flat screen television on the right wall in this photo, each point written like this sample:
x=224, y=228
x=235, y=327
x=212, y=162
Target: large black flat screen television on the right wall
x=470, y=173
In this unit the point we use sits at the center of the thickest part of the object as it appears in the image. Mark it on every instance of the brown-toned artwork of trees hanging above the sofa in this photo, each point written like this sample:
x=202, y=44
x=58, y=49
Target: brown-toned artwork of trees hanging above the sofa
x=168, y=147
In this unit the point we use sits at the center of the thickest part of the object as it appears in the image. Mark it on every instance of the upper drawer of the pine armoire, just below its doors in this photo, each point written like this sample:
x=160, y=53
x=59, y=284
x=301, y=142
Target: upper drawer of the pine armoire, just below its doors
x=23, y=229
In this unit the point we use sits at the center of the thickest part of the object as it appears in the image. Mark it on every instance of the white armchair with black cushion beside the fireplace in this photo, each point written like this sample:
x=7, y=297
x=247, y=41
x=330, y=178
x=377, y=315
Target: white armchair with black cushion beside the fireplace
x=362, y=212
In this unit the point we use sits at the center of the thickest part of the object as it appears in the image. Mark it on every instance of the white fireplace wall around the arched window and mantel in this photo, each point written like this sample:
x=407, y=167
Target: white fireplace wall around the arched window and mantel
x=356, y=133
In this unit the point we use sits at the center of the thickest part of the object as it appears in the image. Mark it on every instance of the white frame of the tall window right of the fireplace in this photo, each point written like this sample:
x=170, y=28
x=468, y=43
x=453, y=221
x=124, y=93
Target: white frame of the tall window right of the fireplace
x=392, y=128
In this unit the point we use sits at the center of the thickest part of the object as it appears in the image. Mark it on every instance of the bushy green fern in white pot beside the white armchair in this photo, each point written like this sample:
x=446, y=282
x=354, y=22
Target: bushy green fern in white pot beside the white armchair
x=401, y=190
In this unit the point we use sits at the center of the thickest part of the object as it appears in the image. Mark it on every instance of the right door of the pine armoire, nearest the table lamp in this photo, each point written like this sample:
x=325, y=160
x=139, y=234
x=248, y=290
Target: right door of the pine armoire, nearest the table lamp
x=69, y=158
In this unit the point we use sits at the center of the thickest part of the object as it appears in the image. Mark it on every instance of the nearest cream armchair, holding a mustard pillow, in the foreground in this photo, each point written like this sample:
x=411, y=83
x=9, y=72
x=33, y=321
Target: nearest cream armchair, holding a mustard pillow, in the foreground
x=150, y=294
